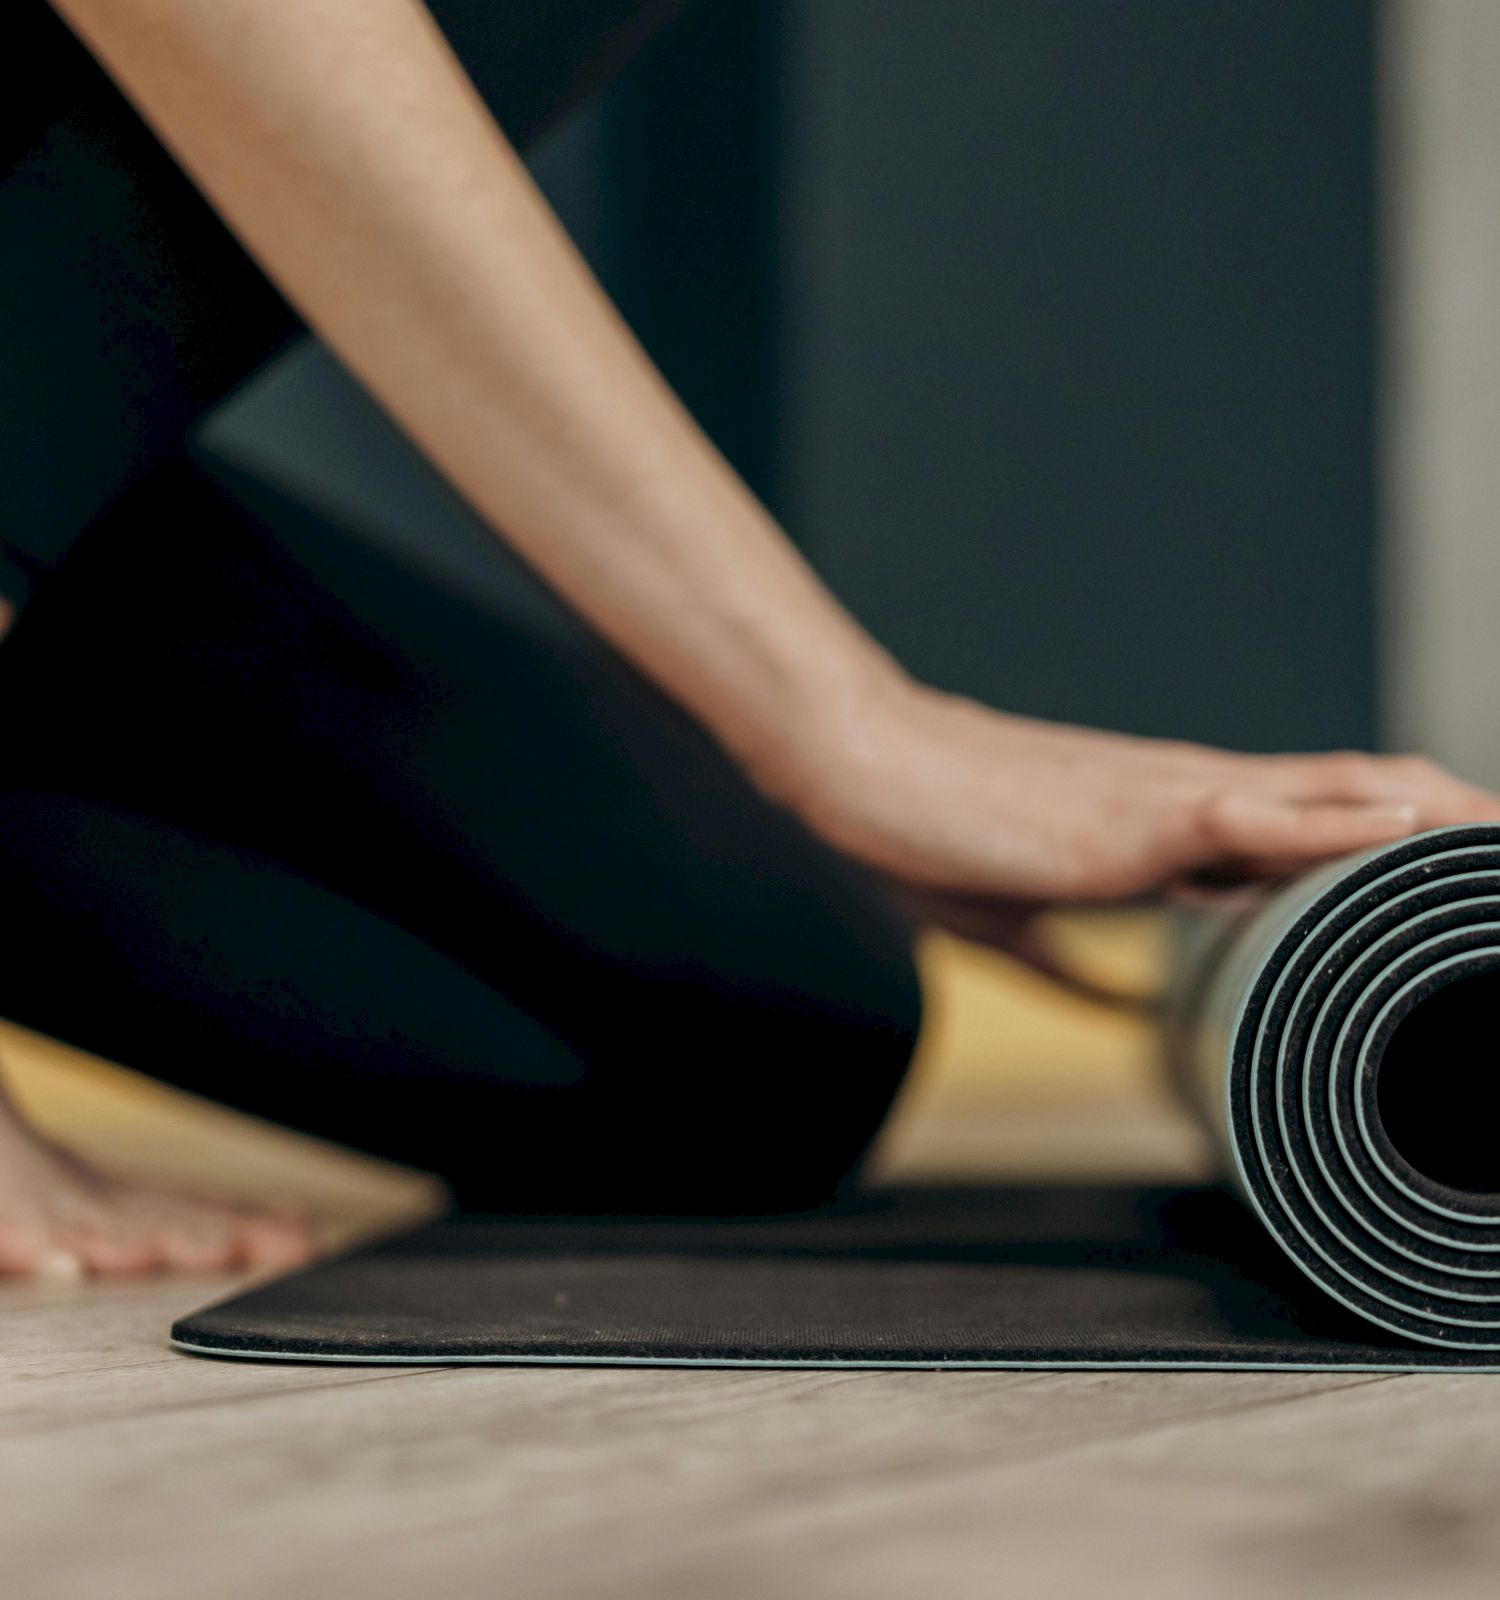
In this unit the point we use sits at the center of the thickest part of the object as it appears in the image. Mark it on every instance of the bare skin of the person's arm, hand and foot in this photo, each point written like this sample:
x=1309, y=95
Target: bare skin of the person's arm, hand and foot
x=345, y=145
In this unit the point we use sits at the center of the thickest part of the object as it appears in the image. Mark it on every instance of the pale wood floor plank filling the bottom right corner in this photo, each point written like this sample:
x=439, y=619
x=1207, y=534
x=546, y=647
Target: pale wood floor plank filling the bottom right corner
x=1374, y=1489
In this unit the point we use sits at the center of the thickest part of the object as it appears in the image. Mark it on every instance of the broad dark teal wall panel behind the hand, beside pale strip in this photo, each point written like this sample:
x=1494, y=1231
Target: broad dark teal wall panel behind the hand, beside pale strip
x=1080, y=308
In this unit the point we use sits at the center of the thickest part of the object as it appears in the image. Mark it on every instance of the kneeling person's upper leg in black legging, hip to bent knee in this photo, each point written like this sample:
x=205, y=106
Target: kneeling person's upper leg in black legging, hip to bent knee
x=519, y=801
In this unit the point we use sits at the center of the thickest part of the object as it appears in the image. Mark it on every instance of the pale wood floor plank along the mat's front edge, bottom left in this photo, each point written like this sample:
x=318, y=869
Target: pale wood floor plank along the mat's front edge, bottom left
x=543, y=1474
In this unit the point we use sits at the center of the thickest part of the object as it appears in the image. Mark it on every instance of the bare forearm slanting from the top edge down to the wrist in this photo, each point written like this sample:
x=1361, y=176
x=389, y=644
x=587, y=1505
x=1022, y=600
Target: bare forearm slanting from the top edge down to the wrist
x=345, y=145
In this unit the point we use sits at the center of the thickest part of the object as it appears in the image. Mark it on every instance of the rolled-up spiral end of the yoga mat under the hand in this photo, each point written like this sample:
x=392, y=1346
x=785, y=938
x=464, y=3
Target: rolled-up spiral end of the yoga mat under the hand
x=1342, y=1041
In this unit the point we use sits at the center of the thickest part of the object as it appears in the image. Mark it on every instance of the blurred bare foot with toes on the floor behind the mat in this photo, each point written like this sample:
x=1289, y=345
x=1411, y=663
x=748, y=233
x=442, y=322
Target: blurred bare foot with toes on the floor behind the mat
x=60, y=1215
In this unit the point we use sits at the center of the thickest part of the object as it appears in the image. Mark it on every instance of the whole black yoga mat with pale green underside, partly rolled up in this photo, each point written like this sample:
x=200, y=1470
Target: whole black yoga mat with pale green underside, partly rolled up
x=1336, y=1039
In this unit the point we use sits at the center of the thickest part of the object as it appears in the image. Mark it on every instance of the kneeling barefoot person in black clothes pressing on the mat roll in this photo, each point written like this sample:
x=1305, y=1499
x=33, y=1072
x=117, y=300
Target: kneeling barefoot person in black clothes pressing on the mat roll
x=578, y=929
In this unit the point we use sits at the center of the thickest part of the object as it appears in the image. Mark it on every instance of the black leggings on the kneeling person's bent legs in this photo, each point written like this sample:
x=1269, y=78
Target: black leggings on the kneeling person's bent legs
x=321, y=841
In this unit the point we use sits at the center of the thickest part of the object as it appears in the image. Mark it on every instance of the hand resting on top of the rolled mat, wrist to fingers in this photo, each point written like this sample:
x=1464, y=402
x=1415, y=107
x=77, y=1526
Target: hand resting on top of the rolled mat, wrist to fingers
x=981, y=810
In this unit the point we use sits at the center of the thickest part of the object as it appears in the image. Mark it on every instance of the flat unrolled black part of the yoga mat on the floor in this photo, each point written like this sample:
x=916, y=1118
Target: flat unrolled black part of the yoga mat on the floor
x=962, y=1278
